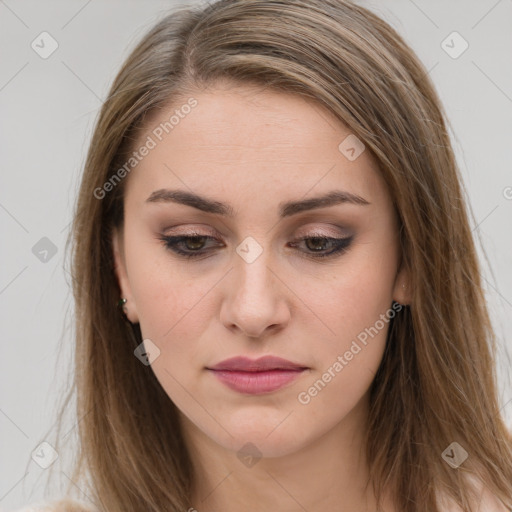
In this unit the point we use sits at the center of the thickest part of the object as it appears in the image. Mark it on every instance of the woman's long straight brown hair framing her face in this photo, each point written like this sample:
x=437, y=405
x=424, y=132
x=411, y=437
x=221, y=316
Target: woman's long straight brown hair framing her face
x=436, y=383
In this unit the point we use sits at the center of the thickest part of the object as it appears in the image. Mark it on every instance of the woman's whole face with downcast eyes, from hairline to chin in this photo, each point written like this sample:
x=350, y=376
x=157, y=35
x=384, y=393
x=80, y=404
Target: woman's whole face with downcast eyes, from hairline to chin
x=254, y=266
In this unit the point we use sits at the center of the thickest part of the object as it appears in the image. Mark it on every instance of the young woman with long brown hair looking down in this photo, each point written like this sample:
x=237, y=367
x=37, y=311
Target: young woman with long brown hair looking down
x=272, y=201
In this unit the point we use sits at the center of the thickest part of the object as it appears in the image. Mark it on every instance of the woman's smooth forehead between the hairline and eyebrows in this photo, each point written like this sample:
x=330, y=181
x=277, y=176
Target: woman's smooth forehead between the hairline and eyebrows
x=244, y=138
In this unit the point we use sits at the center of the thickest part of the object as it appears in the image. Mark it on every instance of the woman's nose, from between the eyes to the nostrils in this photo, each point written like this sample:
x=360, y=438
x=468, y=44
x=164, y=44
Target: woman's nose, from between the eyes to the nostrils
x=256, y=300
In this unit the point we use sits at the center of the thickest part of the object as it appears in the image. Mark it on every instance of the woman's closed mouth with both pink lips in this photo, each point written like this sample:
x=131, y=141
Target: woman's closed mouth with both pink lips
x=260, y=376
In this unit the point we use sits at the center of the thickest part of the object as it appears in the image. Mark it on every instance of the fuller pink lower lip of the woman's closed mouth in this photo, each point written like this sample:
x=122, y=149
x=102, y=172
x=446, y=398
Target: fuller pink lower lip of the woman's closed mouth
x=254, y=383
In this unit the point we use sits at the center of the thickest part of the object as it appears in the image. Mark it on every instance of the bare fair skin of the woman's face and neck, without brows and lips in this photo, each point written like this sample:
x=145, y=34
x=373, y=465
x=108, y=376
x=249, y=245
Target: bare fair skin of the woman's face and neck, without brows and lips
x=255, y=149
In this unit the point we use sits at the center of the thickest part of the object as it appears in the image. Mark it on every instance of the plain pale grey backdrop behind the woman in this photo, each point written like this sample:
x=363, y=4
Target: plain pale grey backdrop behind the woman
x=48, y=108
